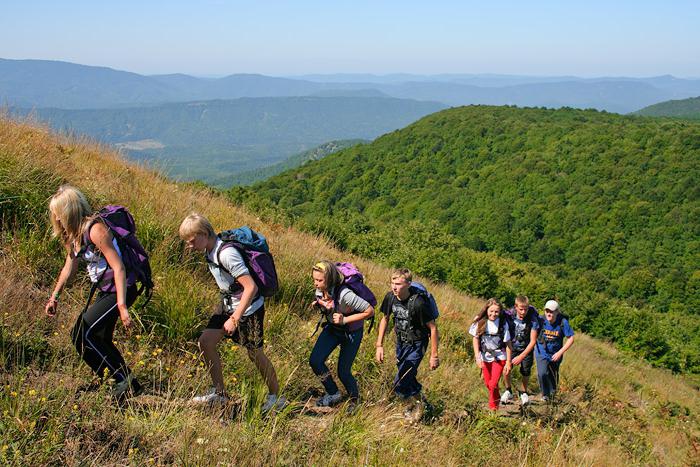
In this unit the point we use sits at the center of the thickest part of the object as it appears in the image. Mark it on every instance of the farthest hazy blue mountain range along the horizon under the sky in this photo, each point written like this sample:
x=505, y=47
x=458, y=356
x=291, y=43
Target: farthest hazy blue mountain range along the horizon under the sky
x=37, y=83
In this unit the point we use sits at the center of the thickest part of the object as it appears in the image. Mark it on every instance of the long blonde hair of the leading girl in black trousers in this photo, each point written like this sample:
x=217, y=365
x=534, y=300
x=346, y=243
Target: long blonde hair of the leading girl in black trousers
x=69, y=213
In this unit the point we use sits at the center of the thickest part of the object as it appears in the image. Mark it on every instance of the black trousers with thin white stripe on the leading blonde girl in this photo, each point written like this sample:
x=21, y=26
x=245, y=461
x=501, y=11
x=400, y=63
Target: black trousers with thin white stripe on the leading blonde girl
x=93, y=332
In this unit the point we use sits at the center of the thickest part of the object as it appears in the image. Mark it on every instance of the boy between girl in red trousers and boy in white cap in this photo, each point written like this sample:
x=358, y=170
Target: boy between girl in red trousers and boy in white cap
x=523, y=324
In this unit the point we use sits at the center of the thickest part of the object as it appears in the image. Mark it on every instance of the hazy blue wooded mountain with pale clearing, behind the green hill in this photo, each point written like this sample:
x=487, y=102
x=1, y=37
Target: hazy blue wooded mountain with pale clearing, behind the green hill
x=212, y=140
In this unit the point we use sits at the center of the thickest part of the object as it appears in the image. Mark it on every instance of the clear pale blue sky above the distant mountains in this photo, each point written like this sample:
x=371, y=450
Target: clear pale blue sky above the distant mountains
x=220, y=37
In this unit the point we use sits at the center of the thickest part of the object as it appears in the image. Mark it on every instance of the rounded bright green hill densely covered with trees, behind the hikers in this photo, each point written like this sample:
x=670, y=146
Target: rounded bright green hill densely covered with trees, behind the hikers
x=603, y=207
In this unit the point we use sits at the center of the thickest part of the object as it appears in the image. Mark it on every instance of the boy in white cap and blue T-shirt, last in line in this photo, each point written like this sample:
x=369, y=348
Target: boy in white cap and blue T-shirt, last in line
x=550, y=348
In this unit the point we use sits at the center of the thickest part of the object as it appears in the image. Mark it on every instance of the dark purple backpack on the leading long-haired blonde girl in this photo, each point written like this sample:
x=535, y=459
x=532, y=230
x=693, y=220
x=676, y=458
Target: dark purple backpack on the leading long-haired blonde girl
x=123, y=228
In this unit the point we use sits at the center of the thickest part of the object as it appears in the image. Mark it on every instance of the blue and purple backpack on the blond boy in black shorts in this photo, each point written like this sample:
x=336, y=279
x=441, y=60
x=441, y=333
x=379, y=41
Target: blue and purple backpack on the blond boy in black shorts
x=256, y=255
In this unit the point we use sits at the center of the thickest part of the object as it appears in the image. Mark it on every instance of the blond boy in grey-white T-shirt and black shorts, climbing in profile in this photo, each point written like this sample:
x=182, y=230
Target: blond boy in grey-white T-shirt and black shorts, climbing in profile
x=239, y=315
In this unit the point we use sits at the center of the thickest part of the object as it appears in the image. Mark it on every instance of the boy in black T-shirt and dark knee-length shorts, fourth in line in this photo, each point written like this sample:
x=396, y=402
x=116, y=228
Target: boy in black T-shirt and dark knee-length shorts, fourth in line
x=414, y=323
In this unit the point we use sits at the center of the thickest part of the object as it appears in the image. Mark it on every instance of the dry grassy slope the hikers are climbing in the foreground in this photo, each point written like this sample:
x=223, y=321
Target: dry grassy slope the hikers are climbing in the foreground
x=614, y=410
